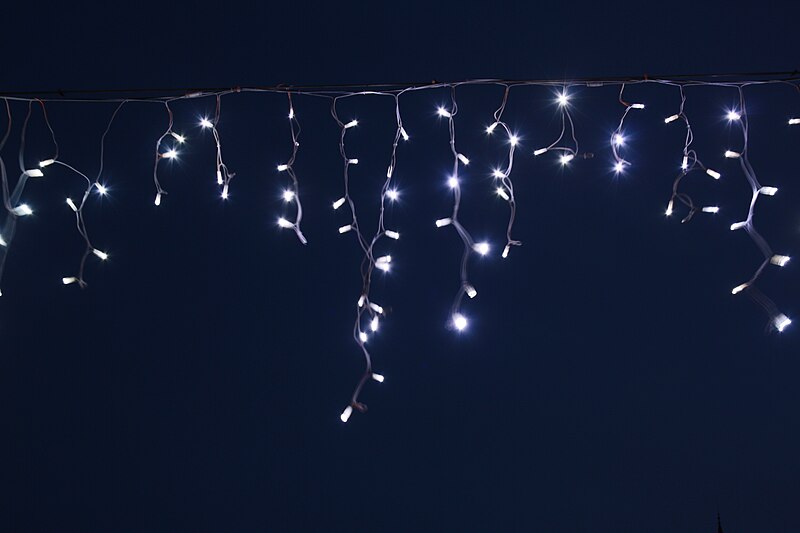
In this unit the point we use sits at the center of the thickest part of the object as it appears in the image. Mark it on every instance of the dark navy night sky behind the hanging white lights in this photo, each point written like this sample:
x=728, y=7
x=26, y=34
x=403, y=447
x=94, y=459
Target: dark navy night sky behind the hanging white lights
x=608, y=380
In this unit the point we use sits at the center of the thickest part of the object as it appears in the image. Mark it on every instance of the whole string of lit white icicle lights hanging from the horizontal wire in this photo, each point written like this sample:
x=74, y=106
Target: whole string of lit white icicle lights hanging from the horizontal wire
x=369, y=313
